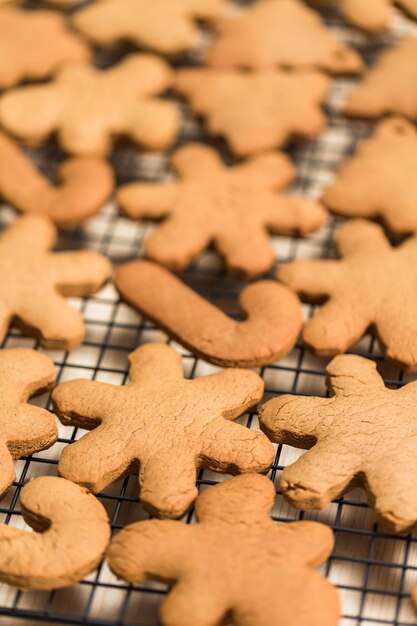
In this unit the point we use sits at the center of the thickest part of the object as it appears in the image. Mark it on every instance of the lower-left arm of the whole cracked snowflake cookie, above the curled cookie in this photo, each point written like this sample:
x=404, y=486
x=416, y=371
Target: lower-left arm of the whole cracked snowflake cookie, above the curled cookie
x=96, y=460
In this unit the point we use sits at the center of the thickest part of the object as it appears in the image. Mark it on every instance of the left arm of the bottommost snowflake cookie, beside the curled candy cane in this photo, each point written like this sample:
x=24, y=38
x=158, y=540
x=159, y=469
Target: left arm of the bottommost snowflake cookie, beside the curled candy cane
x=150, y=549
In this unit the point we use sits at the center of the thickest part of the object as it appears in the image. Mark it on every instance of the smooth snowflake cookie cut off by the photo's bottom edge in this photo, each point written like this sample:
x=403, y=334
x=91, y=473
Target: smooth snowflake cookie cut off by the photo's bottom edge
x=236, y=561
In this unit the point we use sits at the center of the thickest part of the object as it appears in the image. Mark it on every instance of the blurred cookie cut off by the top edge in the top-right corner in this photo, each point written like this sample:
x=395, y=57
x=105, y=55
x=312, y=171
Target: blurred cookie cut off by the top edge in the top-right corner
x=372, y=16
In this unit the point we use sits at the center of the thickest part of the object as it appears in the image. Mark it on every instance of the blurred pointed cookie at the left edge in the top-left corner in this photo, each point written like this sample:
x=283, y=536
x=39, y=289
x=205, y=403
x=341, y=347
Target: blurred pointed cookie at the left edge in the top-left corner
x=23, y=53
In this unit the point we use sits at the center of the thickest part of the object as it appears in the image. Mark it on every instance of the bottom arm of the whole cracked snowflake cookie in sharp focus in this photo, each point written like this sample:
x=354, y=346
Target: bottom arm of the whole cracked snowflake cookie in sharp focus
x=167, y=482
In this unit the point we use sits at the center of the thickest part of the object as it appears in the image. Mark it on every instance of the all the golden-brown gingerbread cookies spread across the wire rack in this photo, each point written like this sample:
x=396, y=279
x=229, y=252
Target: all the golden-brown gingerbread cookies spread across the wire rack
x=262, y=86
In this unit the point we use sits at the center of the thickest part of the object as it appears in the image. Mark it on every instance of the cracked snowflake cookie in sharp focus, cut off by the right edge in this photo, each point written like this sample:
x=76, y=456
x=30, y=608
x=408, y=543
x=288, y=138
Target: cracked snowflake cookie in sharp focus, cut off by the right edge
x=365, y=434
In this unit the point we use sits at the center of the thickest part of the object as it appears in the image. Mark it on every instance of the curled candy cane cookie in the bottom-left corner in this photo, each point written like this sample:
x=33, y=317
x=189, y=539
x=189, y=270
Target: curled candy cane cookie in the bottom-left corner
x=72, y=532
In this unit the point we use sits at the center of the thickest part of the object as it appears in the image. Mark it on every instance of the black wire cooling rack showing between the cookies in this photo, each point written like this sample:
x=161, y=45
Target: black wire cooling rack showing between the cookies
x=373, y=570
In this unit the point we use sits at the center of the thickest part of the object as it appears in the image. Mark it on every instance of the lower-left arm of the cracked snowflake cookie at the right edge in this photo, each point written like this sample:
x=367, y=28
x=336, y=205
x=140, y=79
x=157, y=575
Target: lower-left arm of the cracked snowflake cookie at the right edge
x=320, y=475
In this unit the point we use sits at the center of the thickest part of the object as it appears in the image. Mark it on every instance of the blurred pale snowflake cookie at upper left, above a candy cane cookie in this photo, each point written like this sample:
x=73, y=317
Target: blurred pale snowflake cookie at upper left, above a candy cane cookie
x=88, y=107
